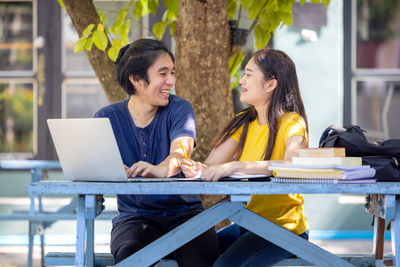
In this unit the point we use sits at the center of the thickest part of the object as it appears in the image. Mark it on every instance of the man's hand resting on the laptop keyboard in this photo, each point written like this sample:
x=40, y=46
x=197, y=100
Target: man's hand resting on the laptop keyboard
x=145, y=169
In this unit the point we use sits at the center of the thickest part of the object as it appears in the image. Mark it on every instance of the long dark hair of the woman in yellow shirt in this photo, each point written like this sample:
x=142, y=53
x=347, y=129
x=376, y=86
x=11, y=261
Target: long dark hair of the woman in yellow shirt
x=286, y=97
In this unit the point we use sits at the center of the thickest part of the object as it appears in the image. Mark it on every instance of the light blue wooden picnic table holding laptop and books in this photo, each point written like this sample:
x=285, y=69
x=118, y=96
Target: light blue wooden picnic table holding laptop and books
x=89, y=206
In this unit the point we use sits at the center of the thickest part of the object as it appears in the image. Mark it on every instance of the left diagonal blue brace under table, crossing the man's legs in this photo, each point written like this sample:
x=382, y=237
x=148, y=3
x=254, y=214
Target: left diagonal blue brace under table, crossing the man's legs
x=182, y=234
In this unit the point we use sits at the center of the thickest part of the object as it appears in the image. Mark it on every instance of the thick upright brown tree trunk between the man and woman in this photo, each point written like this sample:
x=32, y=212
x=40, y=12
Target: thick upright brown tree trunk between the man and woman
x=202, y=66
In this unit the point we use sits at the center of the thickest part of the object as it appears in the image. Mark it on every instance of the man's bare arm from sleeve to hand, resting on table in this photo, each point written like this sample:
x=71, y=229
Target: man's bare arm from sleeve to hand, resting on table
x=168, y=167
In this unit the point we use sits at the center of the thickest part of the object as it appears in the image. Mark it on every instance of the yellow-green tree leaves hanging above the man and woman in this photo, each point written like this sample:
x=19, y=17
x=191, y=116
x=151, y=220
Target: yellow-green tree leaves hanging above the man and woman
x=266, y=17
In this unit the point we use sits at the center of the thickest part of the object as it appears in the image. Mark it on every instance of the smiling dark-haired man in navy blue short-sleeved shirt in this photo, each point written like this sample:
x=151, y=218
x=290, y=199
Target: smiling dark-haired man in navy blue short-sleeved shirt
x=147, y=127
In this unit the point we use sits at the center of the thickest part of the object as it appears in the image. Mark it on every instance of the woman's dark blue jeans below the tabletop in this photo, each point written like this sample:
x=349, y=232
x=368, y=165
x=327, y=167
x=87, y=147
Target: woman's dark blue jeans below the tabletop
x=239, y=247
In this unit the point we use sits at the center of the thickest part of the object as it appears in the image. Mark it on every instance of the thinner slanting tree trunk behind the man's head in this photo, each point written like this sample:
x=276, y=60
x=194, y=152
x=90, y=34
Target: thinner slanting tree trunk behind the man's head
x=83, y=13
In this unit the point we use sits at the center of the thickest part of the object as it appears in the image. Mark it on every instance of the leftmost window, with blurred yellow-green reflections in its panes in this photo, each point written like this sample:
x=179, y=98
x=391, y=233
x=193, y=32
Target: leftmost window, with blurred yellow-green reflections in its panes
x=17, y=87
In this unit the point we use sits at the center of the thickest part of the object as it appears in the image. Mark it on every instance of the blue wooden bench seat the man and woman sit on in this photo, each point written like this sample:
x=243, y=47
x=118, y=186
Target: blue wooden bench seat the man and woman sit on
x=106, y=259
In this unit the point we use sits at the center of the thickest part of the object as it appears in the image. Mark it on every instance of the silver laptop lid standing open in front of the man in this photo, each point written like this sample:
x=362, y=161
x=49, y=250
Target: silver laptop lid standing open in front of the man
x=87, y=149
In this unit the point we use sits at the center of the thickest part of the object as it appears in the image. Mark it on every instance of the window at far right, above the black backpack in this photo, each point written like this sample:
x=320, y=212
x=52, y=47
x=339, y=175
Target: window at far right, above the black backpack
x=376, y=68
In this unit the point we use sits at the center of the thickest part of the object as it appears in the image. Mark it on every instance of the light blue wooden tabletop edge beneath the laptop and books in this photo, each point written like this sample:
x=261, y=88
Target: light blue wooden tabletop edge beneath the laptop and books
x=211, y=188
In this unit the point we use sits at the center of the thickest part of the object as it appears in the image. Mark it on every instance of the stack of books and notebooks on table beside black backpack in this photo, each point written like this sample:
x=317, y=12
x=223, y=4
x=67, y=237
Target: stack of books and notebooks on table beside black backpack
x=322, y=165
